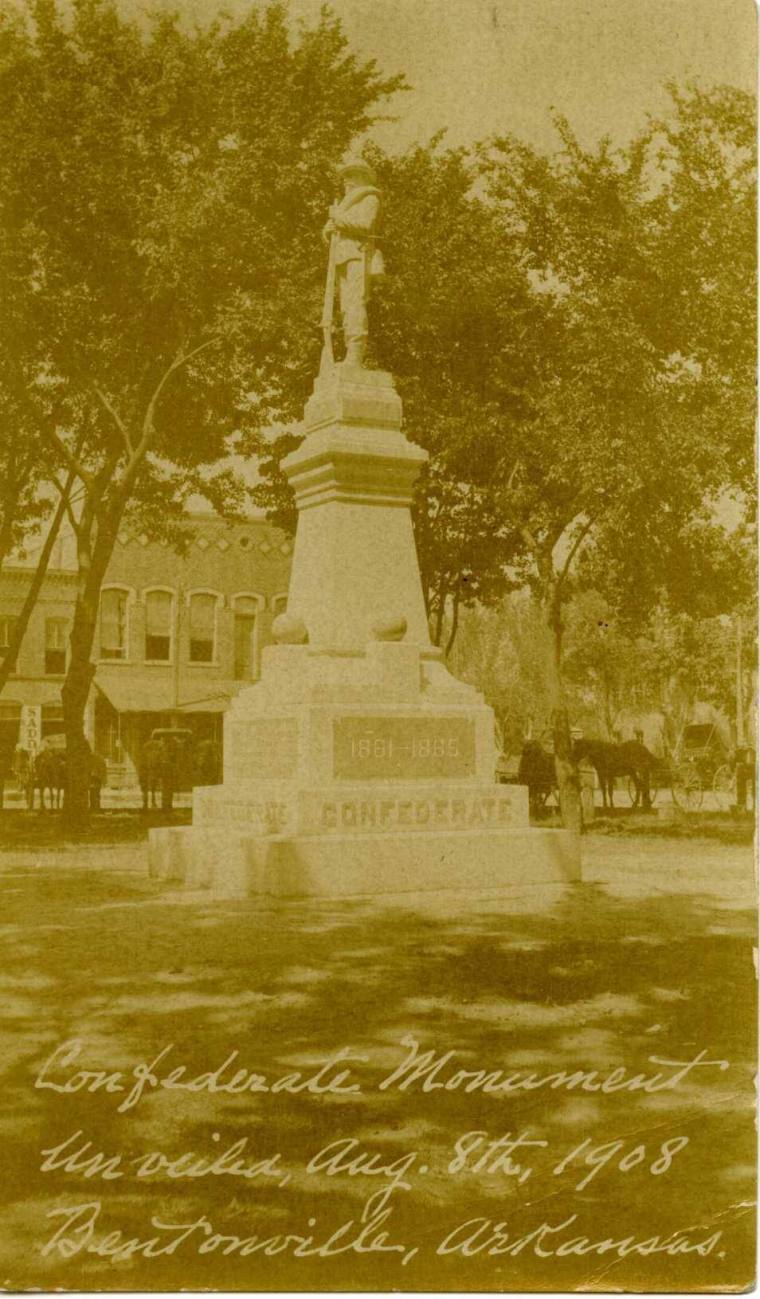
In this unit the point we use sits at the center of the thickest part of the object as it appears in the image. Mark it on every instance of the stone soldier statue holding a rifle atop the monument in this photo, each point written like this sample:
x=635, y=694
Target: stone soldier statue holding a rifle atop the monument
x=355, y=260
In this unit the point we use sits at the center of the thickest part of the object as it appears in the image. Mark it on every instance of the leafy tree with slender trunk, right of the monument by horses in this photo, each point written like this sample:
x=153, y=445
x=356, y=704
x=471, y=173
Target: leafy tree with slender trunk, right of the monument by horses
x=618, y=398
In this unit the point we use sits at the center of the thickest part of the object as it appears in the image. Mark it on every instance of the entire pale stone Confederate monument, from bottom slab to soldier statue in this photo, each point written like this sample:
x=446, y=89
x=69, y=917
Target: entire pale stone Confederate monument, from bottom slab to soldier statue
x=358, y=764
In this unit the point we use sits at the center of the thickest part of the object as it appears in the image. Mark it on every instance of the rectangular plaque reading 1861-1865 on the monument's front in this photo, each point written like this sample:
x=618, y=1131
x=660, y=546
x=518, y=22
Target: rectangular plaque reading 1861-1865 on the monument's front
x=367, y=749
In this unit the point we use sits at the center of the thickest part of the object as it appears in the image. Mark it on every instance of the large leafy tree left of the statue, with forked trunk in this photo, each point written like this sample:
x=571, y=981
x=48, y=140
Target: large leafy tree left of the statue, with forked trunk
x=163, y=194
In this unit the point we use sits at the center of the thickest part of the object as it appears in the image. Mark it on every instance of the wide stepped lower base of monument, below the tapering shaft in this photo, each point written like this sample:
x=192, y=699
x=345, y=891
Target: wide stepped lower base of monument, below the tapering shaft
x=361, y=775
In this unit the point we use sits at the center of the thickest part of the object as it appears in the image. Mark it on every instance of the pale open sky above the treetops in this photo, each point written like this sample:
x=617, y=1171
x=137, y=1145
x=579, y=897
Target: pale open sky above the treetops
x=485, y=67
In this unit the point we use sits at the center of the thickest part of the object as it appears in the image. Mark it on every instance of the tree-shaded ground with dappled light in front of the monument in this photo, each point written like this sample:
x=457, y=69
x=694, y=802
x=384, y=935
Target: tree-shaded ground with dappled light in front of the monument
x=652, y=957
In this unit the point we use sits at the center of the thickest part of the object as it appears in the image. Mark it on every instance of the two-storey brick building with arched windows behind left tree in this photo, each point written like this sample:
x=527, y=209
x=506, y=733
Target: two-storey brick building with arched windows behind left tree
x=179, y=636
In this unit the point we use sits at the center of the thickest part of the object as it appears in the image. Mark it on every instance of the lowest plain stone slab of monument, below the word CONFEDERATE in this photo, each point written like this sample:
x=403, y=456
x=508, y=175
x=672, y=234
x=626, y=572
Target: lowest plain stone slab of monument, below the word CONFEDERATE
x=231, y=864
